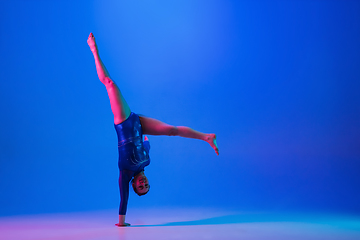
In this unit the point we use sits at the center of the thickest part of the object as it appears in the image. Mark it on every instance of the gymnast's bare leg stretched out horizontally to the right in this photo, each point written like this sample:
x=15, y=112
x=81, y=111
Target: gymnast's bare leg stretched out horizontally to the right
x=153, y=126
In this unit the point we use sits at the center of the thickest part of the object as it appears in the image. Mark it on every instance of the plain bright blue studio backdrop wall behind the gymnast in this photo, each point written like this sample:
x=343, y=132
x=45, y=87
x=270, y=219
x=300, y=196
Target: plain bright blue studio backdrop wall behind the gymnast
x=277, y=81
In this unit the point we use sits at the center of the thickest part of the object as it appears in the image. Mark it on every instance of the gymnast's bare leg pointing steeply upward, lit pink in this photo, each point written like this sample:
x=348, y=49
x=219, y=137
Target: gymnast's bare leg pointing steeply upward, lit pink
x=119, y=107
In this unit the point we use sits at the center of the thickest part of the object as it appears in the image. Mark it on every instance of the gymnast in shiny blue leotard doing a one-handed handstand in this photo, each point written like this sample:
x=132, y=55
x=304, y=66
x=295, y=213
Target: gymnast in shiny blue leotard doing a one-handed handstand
x=133, y=150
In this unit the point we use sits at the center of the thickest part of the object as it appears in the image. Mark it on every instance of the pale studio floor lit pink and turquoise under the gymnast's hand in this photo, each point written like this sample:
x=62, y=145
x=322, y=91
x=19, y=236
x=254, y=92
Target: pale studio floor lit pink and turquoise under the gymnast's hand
x=181, y=223
